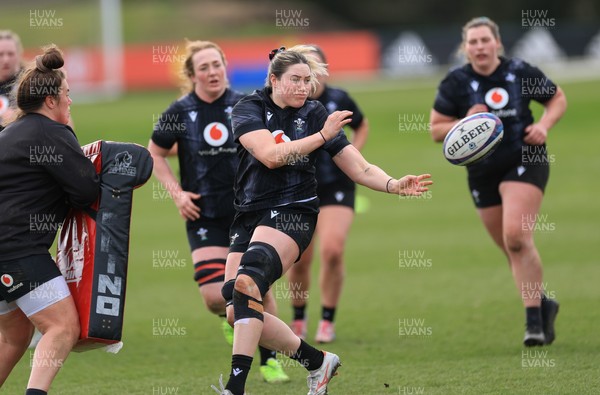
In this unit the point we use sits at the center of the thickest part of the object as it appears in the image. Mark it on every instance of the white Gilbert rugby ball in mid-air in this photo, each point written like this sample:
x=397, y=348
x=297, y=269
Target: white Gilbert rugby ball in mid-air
x=473, y=138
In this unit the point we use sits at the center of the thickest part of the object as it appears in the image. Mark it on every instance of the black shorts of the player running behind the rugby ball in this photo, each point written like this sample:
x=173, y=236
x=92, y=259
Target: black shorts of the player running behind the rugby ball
x=485, y=188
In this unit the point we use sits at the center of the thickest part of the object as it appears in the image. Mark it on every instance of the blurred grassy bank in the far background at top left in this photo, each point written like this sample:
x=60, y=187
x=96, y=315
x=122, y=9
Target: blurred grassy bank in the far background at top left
x=77, y=23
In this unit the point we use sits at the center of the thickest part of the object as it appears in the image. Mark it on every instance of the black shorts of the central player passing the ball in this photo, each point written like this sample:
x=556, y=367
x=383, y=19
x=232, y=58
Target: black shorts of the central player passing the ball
x=297, y=220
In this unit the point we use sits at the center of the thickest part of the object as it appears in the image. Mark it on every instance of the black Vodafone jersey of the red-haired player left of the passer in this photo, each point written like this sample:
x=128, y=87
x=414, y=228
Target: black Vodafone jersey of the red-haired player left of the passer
x=207, y=153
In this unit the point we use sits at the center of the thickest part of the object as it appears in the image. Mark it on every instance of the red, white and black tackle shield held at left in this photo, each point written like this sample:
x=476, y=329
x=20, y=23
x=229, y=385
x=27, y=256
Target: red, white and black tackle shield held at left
x=93, y=246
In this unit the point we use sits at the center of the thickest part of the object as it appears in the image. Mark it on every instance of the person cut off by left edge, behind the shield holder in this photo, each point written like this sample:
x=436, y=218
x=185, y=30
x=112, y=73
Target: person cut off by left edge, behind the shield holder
x=11, y=52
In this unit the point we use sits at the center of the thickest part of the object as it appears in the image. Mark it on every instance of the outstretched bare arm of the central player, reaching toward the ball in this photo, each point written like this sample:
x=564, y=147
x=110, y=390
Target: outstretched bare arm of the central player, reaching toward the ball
x=351, y=162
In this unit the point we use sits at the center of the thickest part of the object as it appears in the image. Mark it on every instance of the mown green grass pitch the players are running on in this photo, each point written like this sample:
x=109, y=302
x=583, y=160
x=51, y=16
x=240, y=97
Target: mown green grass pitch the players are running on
x=471, y=310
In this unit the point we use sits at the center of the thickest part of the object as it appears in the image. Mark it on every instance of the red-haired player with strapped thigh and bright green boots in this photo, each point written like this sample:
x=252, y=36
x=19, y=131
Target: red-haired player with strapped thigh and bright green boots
x=199, y=125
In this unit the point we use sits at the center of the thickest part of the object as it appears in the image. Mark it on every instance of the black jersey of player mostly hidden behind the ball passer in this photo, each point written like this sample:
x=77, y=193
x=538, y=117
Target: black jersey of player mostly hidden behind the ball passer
x=335, y=99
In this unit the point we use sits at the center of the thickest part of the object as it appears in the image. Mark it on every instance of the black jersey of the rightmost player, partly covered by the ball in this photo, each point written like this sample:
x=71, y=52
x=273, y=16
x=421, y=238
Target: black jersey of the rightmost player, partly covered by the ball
x=507, y=93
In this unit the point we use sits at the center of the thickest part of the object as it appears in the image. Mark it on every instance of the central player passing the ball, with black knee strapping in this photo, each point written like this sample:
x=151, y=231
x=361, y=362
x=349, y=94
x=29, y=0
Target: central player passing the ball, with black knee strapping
x=279, y=130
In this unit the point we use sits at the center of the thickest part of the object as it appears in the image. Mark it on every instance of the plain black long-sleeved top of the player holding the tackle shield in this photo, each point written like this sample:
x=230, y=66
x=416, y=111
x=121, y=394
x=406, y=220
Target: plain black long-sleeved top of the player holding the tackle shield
x=42, y=172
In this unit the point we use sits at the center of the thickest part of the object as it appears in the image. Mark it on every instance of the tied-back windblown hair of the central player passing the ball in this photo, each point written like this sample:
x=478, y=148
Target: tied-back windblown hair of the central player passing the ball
x=283, y=58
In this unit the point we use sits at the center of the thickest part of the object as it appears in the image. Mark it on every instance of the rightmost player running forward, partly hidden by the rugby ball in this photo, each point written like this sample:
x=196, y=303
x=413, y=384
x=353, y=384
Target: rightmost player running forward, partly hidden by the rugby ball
x=508, y=186
